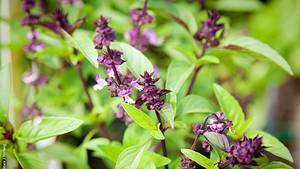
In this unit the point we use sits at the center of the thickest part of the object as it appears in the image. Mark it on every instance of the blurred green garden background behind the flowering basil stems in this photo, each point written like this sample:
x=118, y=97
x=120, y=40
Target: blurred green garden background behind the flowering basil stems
x=266, y=93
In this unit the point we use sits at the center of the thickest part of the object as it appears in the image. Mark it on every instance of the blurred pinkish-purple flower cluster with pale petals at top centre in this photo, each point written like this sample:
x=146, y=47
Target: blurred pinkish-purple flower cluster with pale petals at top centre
x=137, y=37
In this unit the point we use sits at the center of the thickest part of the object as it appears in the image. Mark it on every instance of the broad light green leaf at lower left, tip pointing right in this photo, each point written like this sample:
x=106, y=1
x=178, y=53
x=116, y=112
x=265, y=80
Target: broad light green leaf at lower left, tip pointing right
x=31, y=132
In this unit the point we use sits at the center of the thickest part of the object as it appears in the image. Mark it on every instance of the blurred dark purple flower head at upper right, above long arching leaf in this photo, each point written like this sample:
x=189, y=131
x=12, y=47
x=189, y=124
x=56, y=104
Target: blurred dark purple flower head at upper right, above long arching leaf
x=207, y=34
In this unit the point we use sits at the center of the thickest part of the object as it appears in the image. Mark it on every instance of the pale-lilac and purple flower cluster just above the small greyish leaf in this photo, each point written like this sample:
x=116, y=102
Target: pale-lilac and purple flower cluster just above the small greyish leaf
x=215, y=123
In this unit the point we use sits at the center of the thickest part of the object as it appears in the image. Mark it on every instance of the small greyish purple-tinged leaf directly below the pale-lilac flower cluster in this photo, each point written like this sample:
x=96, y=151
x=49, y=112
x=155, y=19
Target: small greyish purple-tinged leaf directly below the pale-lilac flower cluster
x=218, y=140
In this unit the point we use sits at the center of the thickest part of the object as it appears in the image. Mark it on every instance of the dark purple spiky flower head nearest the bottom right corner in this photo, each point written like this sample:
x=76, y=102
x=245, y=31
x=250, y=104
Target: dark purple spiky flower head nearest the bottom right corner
x=243, y=151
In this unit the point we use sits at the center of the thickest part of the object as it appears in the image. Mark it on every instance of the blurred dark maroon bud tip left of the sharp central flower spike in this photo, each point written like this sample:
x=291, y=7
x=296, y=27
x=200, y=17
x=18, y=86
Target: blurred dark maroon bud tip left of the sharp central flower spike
x=61, y=20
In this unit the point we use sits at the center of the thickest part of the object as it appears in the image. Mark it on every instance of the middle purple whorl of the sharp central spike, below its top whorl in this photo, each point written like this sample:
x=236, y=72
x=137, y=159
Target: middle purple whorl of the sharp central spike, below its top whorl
x=111, y=57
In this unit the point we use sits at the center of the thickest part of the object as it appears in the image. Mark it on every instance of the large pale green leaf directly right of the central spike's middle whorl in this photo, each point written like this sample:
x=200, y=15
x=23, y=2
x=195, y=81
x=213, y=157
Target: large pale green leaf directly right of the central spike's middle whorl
x=136, y=61
